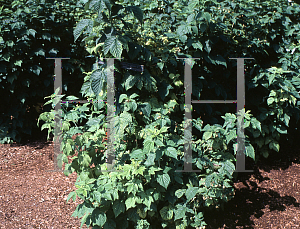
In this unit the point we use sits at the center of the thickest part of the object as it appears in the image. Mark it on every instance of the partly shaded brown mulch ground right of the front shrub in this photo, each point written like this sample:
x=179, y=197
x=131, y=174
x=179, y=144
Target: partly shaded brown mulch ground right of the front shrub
x=266, y=199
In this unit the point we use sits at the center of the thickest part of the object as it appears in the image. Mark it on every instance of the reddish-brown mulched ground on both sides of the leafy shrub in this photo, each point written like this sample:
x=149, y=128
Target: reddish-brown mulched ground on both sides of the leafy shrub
x=31, y=197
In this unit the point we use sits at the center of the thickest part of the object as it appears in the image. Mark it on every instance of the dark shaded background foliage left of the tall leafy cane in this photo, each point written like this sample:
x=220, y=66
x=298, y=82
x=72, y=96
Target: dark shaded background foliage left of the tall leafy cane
x=30, y=32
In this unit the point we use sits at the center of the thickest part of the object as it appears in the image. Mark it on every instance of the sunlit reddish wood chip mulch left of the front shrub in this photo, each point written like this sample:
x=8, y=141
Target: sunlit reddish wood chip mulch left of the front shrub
x=30, y=195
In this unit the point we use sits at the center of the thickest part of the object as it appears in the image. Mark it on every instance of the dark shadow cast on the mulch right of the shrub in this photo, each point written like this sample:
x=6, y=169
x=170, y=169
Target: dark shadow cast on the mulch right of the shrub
x=251, y=200
